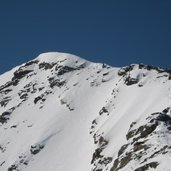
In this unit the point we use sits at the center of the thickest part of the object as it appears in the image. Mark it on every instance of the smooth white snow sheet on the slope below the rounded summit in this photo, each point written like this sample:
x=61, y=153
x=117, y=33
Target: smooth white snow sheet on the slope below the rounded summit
x=59, y=123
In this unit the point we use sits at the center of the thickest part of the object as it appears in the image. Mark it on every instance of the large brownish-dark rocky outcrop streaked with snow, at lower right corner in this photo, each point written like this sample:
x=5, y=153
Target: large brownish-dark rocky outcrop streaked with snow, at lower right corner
x=138, y=143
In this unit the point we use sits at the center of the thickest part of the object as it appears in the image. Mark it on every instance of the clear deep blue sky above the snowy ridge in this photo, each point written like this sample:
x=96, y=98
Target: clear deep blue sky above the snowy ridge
x=117, y=32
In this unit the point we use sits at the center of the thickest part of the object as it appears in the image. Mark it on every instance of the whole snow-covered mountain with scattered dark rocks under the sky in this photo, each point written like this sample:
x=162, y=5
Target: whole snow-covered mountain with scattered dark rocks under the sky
x=59, y=112
